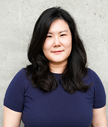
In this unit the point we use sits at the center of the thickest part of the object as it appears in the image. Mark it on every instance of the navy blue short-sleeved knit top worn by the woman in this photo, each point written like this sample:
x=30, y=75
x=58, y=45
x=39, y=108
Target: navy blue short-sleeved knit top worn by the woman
x=56, y=108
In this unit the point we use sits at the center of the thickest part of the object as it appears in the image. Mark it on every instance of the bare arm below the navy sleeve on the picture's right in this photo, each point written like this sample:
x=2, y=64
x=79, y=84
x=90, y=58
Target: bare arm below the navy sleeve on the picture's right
x=99, y=117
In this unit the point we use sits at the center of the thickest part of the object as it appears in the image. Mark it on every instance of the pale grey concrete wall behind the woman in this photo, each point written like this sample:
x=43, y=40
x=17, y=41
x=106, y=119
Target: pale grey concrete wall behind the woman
x=17, y=19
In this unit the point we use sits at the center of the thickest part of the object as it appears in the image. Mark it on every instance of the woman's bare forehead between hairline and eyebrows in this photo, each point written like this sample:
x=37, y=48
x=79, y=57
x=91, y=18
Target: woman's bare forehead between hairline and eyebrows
x=59, y=25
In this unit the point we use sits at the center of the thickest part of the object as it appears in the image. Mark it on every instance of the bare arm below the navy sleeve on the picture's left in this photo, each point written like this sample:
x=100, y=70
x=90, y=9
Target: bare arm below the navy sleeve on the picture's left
x=11, y=118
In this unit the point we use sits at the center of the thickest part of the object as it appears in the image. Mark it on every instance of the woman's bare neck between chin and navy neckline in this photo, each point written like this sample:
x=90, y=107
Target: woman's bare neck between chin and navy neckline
x=57, y=67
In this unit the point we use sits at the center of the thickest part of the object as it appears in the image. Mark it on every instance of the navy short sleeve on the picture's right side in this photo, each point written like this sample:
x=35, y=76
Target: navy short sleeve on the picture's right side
x=99, y=99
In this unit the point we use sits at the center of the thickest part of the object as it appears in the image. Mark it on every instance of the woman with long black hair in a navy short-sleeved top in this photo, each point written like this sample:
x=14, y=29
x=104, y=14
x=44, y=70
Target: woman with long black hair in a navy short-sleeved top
x=56, y=89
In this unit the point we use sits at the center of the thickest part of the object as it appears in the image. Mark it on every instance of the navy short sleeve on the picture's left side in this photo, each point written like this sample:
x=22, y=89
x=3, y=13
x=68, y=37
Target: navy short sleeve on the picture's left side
x=14, y=96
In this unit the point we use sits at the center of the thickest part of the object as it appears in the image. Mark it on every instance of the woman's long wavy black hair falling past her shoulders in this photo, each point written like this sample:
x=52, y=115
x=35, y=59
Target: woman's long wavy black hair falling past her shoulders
x=39, y=72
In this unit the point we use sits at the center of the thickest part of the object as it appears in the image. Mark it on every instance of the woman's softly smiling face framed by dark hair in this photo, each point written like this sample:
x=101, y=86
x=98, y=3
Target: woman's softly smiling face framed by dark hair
x=58, y=43
